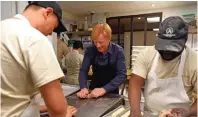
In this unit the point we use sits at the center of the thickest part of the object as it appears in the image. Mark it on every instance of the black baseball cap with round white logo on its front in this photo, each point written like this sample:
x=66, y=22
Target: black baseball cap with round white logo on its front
x=172, y=35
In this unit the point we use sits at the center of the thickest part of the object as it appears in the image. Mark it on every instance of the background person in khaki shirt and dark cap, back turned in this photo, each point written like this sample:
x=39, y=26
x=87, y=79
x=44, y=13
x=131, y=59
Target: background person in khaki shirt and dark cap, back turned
x=73, y=63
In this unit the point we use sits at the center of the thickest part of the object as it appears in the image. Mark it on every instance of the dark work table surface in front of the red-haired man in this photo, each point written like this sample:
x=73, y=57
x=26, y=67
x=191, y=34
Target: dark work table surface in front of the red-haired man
x=94, y=107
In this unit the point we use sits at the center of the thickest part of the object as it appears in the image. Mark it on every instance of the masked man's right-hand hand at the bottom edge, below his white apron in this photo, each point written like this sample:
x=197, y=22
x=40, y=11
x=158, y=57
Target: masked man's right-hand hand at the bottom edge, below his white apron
x=180, y=112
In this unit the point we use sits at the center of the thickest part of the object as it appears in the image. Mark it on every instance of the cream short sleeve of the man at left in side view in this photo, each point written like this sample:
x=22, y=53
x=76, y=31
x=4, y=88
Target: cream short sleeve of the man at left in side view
x=42, y=63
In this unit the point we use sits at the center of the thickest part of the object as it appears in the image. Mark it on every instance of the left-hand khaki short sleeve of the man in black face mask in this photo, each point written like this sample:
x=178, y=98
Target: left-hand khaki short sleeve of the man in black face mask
x=140, y=67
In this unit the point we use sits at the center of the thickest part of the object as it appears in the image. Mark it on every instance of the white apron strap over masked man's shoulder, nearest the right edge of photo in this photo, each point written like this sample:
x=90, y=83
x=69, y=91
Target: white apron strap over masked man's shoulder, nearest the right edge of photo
x=182, y=63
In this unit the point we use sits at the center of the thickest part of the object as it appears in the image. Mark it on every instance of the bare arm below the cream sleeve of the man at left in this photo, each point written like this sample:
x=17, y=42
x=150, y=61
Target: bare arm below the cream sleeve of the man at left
x=54, y=99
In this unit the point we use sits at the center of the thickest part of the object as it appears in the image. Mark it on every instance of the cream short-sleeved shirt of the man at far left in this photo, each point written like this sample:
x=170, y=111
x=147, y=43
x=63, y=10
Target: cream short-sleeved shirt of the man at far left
x=28, y=62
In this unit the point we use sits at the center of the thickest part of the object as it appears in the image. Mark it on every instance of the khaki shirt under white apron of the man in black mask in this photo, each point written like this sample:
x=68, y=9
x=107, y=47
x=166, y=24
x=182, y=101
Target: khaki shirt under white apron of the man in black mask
x=167, y=69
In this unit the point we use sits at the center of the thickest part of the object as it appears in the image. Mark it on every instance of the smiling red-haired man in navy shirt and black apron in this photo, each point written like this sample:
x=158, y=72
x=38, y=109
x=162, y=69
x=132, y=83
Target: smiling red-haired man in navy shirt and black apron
x=108, y=64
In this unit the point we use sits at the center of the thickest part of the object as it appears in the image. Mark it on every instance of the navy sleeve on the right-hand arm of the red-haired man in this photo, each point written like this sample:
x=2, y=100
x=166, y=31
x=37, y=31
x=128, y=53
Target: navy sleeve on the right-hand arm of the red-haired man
x=120, y=71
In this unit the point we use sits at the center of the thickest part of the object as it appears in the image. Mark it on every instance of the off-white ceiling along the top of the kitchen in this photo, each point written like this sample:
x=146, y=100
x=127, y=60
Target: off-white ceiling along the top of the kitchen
x=81, y=8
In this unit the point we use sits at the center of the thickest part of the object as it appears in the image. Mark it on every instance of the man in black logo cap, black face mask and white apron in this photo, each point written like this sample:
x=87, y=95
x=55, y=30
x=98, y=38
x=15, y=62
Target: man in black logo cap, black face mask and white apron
x=167, y=71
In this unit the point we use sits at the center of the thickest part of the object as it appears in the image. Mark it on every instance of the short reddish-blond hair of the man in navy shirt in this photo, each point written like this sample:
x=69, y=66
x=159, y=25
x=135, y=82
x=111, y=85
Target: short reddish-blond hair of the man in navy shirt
x=103, y=29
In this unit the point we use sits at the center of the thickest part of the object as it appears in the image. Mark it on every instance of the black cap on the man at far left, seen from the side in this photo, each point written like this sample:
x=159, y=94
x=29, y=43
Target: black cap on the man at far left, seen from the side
x=57, y=11
